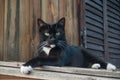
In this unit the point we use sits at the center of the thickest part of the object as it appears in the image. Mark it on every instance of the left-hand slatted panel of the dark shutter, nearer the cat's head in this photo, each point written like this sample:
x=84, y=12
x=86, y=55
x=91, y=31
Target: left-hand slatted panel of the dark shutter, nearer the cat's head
x=94, y=27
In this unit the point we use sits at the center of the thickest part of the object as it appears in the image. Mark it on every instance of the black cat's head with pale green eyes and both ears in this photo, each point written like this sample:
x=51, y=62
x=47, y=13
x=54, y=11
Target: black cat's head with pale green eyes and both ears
x=52, y=34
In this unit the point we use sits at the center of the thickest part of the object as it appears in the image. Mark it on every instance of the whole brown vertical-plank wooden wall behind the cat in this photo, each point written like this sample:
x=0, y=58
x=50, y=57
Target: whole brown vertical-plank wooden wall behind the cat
x=18, y=28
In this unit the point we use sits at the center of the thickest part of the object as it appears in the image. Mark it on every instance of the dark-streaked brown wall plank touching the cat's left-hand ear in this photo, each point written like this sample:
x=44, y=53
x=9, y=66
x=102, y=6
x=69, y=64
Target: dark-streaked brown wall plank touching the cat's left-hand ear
x=35, y=13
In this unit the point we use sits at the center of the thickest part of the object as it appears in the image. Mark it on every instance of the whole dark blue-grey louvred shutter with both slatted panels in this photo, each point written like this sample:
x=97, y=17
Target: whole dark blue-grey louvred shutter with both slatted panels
x=102, y=18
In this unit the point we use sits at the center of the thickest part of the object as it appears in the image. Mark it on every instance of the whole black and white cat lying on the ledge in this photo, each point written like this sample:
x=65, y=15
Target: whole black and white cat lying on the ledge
x=53, y=50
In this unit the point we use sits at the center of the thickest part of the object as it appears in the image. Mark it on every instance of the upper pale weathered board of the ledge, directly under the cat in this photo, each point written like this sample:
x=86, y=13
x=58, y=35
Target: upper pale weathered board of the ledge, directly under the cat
x=69, y=70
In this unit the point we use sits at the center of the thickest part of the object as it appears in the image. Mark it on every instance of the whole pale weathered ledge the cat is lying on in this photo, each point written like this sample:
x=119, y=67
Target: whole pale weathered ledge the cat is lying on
x=57, y=73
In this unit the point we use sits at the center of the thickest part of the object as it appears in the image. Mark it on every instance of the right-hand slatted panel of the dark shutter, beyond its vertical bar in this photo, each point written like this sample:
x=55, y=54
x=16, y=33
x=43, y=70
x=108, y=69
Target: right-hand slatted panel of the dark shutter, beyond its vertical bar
x=113, y=19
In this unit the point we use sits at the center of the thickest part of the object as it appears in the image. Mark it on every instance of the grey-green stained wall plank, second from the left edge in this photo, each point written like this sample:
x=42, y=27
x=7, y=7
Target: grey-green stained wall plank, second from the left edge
x=12, y=31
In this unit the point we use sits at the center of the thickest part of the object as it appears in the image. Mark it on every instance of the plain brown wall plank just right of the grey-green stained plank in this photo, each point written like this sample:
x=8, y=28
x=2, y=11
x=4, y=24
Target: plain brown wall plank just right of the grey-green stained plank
x=24, y=36
